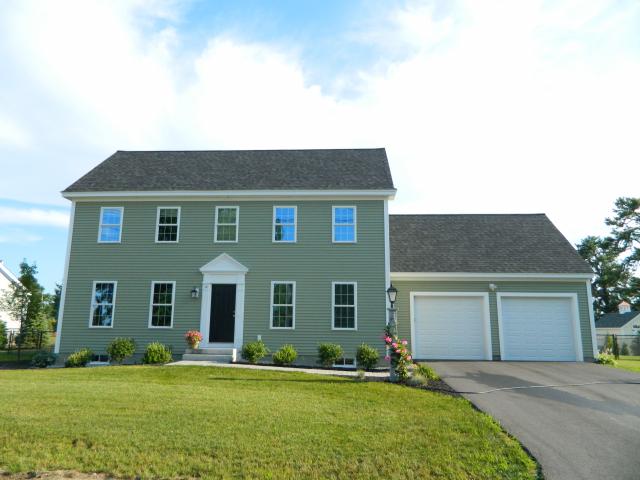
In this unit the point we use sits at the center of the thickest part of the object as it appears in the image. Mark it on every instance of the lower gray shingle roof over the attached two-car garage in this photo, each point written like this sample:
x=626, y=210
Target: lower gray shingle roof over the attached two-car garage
x=481, y=244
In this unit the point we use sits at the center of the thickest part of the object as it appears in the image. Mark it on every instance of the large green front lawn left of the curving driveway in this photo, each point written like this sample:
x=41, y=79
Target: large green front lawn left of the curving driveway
x=221, y=423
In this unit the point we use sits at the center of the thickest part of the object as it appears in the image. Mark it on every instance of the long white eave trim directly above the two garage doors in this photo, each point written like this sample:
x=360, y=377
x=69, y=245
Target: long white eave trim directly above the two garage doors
x=490, y=276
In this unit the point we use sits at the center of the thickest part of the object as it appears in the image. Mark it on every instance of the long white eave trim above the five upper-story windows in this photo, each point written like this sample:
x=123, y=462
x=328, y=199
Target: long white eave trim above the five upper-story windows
x=207, y=195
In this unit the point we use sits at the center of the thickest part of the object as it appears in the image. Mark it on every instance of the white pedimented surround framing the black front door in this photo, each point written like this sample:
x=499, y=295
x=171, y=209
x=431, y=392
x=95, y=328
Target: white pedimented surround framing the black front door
x=223, y=269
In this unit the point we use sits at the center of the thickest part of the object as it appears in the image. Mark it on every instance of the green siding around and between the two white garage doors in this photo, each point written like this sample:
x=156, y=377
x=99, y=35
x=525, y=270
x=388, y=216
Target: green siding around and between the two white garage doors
x=405, y=287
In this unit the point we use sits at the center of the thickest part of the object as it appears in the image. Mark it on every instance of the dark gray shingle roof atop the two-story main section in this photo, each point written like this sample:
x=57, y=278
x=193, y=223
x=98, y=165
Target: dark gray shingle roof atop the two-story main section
x=348, y=169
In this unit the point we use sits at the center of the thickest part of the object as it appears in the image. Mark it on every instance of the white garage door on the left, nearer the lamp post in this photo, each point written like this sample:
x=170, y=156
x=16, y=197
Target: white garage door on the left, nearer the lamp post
x=451, y=327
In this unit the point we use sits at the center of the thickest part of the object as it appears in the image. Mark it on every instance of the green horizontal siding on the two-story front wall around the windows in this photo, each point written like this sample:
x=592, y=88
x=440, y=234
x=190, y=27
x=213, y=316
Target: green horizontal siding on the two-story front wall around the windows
x=313, y=262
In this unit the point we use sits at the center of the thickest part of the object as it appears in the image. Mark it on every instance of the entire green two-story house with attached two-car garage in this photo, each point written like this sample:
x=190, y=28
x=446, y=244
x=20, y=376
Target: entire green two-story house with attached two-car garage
x=297, y=246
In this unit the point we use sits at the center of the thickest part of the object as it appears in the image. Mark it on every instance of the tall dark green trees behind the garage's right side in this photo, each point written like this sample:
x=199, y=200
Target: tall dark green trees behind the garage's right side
x=615, y=258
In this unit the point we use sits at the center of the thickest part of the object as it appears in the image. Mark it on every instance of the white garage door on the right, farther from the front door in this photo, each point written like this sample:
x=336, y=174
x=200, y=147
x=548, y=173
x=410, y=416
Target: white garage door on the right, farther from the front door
x=538, y=328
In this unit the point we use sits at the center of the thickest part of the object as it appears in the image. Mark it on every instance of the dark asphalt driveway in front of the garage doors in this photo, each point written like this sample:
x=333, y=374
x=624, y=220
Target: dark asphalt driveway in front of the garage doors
x=580, y=420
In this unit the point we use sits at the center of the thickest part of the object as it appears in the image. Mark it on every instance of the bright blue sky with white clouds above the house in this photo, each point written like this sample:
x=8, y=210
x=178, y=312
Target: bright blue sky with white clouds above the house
x=492, y=106
